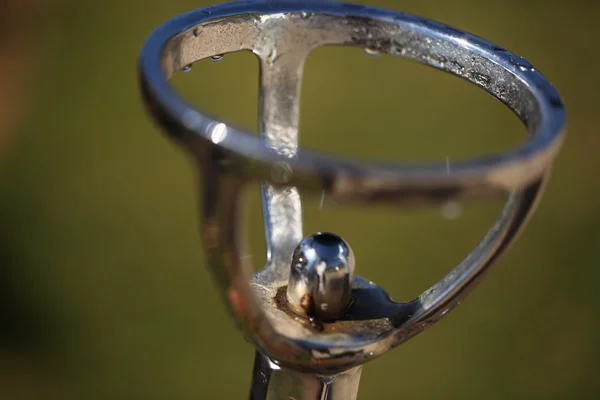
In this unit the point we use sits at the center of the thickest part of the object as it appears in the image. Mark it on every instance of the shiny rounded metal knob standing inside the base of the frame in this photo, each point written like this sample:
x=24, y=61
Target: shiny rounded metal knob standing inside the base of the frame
x=321, y=274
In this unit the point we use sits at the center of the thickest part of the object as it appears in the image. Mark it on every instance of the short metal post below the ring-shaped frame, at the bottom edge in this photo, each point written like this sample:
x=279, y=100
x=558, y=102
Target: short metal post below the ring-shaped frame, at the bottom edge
x=271, y=382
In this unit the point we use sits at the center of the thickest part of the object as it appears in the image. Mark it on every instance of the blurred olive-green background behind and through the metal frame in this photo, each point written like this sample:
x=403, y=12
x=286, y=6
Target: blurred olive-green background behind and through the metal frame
x=103, y=289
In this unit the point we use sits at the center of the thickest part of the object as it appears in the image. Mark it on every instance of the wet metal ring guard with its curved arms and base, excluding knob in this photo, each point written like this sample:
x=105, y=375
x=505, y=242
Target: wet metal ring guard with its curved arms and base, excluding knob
x=282, y=34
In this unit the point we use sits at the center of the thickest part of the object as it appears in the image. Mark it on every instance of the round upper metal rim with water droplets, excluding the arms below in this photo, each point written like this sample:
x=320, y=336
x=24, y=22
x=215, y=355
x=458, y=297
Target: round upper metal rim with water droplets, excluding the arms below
x=508, y=77
